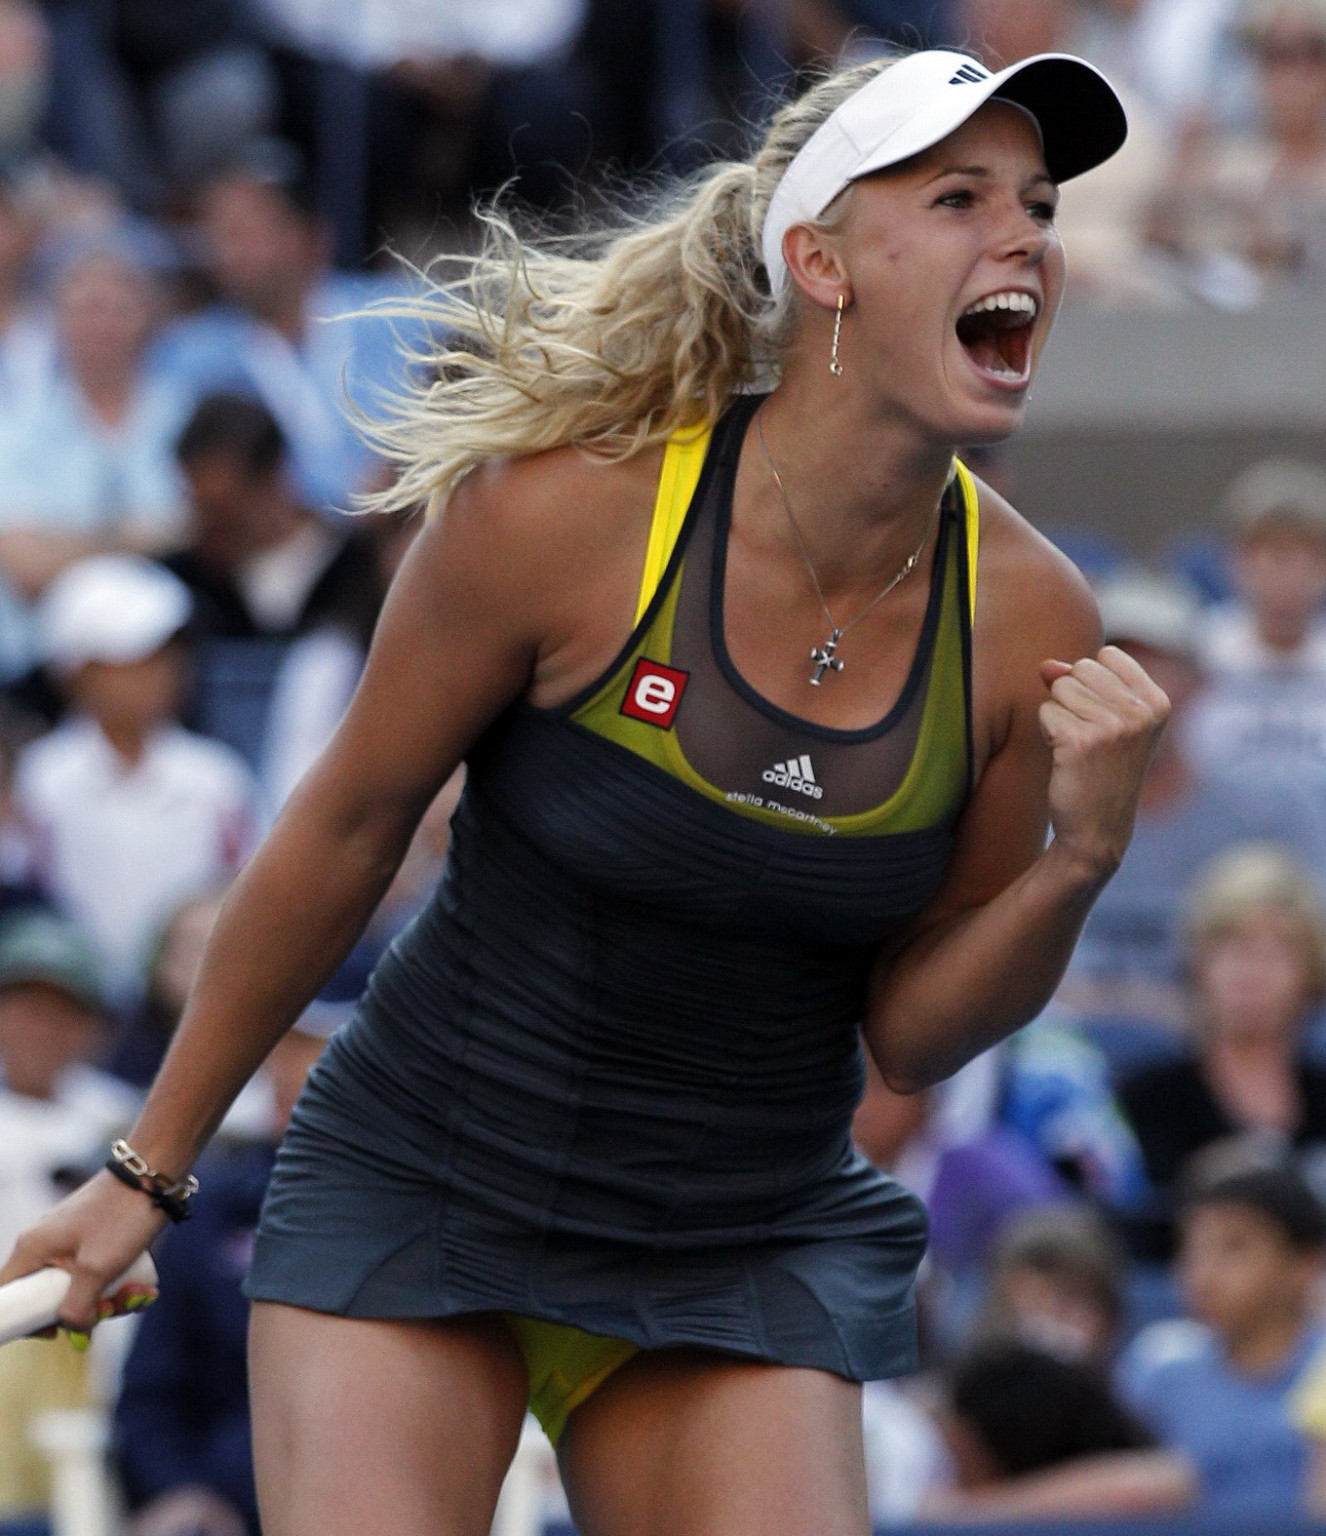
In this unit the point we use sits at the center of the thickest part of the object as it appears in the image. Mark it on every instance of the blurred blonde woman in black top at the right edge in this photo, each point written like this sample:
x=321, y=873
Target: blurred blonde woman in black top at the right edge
x=1258, y=964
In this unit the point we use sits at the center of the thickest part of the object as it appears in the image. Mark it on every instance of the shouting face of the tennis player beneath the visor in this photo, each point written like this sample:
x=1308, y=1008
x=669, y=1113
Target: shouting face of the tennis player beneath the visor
x=955, y=271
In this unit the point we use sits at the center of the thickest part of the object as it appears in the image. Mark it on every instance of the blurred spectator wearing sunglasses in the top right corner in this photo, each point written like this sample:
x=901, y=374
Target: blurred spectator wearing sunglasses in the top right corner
x=1245, y=213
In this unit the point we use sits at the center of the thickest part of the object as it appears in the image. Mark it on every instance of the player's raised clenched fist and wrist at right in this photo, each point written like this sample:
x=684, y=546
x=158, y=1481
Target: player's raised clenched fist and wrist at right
x=1101, y=721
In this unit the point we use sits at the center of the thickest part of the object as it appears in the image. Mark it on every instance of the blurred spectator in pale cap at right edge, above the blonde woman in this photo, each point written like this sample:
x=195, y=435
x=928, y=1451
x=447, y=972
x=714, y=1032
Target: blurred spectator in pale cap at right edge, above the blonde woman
x=1264, y=715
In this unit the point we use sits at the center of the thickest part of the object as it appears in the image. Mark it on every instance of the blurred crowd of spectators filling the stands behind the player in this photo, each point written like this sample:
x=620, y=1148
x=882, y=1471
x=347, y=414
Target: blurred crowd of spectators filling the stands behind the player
x=202, y=210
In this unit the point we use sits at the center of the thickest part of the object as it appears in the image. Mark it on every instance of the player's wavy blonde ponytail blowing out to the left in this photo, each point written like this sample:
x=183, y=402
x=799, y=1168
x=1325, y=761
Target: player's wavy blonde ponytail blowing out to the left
x=611, y=340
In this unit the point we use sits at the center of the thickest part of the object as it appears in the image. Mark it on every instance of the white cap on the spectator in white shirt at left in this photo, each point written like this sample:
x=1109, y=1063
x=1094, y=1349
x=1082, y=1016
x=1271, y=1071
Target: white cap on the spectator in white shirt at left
x=110, y=609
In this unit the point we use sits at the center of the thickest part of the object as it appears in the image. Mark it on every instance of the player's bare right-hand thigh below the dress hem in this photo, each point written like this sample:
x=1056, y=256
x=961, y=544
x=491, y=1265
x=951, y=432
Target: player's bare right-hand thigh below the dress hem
x=686, y=1445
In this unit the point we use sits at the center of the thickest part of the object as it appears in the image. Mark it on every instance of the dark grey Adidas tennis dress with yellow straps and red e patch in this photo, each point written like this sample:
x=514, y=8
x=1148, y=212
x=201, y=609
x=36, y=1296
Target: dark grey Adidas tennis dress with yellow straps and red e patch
x=608, y=1076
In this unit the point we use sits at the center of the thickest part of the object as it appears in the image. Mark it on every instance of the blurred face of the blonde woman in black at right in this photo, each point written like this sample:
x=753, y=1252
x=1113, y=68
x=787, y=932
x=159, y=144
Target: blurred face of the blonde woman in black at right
x=1253, y=981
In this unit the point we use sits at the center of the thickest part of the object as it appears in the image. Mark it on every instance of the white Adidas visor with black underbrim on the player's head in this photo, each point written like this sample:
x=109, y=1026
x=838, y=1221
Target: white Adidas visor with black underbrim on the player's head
x=910, y=107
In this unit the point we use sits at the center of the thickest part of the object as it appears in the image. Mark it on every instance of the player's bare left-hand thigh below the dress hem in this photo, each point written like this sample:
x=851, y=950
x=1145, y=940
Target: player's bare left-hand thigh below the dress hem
x=397, y=1428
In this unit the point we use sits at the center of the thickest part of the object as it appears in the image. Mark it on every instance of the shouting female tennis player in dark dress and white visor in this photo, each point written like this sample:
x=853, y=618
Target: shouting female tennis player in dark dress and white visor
x=766, y=707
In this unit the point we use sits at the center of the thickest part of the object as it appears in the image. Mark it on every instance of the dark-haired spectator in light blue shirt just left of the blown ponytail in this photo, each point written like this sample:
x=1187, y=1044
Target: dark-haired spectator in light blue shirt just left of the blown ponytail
x=288, y=331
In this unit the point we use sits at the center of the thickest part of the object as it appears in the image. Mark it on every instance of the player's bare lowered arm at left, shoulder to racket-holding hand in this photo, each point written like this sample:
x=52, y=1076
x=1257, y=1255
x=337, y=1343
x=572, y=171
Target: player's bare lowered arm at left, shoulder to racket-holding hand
x=465, y=629
